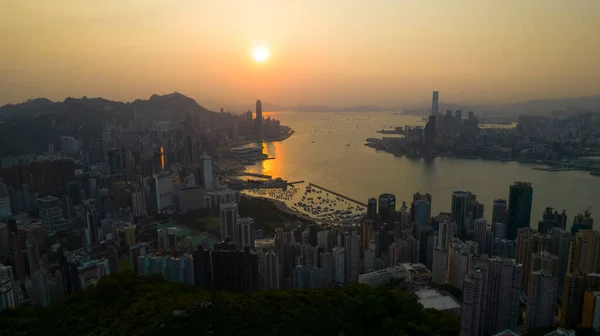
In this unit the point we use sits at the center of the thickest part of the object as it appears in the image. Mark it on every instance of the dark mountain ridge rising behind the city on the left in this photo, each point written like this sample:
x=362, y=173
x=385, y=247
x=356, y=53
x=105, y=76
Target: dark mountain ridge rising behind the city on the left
x=30, y=126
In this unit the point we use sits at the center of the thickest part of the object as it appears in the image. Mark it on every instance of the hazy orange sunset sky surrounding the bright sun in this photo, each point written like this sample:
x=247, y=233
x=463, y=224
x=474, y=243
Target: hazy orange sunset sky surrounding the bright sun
x=322, y=51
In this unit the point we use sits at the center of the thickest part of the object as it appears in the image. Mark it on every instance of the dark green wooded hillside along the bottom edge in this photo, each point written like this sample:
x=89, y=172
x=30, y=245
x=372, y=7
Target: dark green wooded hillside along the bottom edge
x=126, y=304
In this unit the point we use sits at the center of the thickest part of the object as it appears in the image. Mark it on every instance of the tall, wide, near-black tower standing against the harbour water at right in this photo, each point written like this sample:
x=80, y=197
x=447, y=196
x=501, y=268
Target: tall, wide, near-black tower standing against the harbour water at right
x=519, y=207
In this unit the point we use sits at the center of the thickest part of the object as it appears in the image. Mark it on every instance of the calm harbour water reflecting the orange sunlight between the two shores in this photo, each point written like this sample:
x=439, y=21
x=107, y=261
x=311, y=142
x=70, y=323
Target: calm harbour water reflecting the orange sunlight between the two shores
x=328, y=149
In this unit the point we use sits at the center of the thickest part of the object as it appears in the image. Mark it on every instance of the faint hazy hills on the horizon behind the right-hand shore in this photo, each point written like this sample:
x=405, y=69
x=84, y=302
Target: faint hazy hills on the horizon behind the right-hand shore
x=531, y=107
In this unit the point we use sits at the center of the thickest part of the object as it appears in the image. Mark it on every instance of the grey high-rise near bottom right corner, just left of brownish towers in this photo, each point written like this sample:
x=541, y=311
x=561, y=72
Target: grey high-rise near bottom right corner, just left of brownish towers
x=541, y=300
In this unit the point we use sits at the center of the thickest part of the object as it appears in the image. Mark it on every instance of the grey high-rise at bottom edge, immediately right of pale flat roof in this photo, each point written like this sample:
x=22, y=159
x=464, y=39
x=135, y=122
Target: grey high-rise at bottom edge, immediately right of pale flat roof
x=474, y=303
